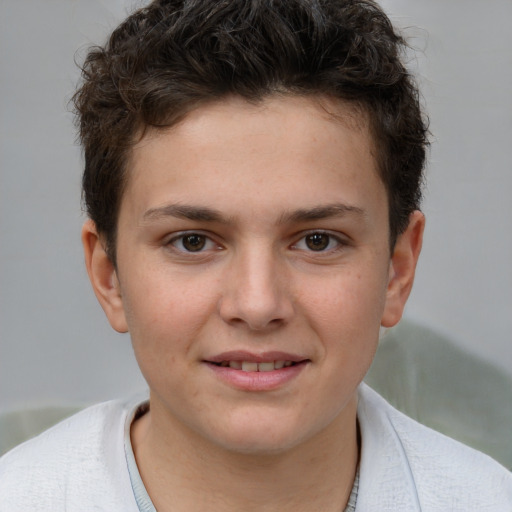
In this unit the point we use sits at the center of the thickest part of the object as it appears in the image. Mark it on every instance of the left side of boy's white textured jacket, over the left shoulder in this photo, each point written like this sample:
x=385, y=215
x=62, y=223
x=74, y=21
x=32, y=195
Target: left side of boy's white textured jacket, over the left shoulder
x=78, y=465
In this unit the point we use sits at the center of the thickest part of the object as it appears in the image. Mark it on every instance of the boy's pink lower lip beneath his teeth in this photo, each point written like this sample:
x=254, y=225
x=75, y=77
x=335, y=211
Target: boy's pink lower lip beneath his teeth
x=258, y=381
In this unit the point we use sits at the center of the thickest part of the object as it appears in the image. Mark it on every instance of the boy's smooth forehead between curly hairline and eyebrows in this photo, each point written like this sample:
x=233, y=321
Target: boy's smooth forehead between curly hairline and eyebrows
x=224, y=148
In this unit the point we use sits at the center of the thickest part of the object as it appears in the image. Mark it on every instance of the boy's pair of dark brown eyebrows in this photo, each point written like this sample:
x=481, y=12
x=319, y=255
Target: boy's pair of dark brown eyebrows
x=202, y=213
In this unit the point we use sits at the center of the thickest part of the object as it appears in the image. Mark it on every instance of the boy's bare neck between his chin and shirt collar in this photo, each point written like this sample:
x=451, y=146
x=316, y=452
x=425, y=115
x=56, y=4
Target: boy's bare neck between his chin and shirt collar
x=181, y=468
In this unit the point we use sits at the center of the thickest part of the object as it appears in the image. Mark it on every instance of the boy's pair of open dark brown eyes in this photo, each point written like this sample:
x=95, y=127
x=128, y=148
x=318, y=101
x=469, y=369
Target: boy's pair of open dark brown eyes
x=209, y=244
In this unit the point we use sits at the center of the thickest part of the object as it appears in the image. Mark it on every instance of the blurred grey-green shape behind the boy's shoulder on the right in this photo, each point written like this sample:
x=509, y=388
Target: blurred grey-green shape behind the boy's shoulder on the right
x=431, y=379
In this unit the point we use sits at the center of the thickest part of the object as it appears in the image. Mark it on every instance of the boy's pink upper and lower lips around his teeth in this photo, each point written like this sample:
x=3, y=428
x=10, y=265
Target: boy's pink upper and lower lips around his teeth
x=257, y=381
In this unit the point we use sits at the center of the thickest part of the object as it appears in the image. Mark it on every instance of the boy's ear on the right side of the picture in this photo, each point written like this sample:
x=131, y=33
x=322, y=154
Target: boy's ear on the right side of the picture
x=402, y=268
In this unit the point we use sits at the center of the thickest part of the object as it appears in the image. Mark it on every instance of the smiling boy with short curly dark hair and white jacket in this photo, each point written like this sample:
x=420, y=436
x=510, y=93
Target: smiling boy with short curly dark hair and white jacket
x=252, y=174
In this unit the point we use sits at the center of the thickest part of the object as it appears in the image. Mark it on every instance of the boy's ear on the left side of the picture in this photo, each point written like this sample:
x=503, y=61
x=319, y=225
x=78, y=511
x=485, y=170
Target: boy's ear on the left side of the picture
x=103, y=277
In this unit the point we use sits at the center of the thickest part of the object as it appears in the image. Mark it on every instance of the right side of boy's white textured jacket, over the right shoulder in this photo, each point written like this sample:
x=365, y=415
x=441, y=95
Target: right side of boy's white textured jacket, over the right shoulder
x=407, y=467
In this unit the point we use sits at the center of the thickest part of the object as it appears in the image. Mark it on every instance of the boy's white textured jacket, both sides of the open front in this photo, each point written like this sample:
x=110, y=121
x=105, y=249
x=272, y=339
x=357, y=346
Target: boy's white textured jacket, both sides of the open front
x=80, y=465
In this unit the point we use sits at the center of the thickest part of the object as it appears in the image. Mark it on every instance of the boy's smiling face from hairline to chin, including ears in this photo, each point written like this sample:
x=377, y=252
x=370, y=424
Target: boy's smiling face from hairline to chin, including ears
x=254, y=270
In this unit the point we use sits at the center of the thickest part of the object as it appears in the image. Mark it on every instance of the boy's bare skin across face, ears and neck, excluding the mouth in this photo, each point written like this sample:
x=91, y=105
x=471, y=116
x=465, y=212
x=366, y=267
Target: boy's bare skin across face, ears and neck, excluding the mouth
x=267, y=176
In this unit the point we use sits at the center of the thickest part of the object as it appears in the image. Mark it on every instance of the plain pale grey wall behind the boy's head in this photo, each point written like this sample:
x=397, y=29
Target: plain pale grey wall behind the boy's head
x=55, y=344
